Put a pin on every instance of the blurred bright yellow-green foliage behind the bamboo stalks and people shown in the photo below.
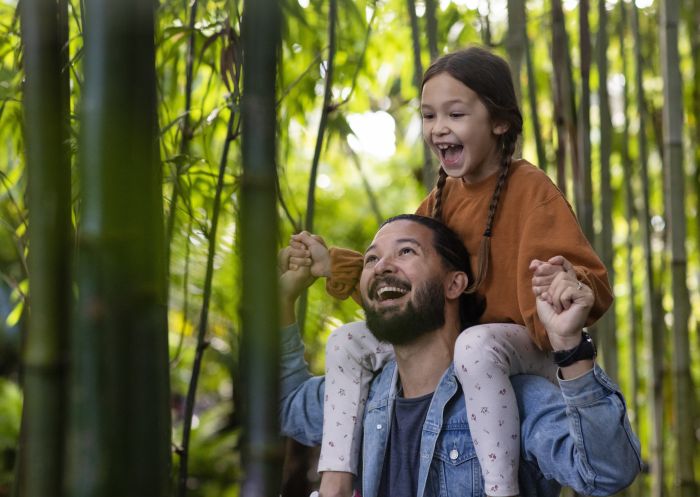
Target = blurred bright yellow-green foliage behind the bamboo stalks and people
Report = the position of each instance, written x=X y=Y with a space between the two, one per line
x=373 y=79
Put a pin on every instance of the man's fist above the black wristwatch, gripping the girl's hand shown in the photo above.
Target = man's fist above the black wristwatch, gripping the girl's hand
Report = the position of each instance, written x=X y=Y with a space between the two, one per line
x=563 y=308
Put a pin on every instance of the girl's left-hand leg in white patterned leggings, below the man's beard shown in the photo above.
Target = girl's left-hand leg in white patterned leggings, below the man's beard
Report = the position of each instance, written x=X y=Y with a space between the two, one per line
x=353 y=354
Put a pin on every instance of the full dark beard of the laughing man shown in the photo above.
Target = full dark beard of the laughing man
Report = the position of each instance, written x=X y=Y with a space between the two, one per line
x=415 y=320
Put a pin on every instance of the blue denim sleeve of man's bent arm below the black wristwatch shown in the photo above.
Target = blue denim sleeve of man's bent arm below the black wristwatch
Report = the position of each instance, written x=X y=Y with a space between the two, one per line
x=580 y=435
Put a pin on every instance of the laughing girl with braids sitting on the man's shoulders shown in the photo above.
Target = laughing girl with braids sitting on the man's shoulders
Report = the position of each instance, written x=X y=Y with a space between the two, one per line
x=508 y=213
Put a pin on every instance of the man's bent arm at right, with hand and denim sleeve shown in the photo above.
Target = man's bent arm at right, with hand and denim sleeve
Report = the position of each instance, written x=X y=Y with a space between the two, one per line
x=579 y=436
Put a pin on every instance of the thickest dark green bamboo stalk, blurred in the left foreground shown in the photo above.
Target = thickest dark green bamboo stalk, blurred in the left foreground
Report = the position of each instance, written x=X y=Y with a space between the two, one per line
x=119 y=428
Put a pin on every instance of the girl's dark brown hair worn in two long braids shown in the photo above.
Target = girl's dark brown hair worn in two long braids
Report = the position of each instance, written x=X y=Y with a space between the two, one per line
x=488 y=75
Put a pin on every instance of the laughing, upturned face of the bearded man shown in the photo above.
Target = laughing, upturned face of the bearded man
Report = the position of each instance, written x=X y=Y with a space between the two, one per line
x=402 y=283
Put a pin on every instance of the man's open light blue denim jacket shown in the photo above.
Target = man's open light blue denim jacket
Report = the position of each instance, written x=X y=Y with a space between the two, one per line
x=578 y=436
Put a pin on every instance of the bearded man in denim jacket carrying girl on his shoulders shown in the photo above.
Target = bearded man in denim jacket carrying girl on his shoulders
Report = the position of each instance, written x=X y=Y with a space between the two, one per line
x=412 y=290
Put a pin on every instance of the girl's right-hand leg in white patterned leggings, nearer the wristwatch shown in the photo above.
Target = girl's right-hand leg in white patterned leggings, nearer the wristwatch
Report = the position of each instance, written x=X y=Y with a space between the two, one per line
x=485 y=356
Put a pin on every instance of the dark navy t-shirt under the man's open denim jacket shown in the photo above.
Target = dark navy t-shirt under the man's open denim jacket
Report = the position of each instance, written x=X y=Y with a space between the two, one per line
x=401 y=461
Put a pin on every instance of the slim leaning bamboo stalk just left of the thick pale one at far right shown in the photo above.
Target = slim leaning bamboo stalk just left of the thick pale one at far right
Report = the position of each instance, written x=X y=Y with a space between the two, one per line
x=654 y=327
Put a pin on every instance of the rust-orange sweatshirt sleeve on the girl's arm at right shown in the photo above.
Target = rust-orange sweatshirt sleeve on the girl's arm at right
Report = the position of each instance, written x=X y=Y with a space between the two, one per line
x=550 y=229
